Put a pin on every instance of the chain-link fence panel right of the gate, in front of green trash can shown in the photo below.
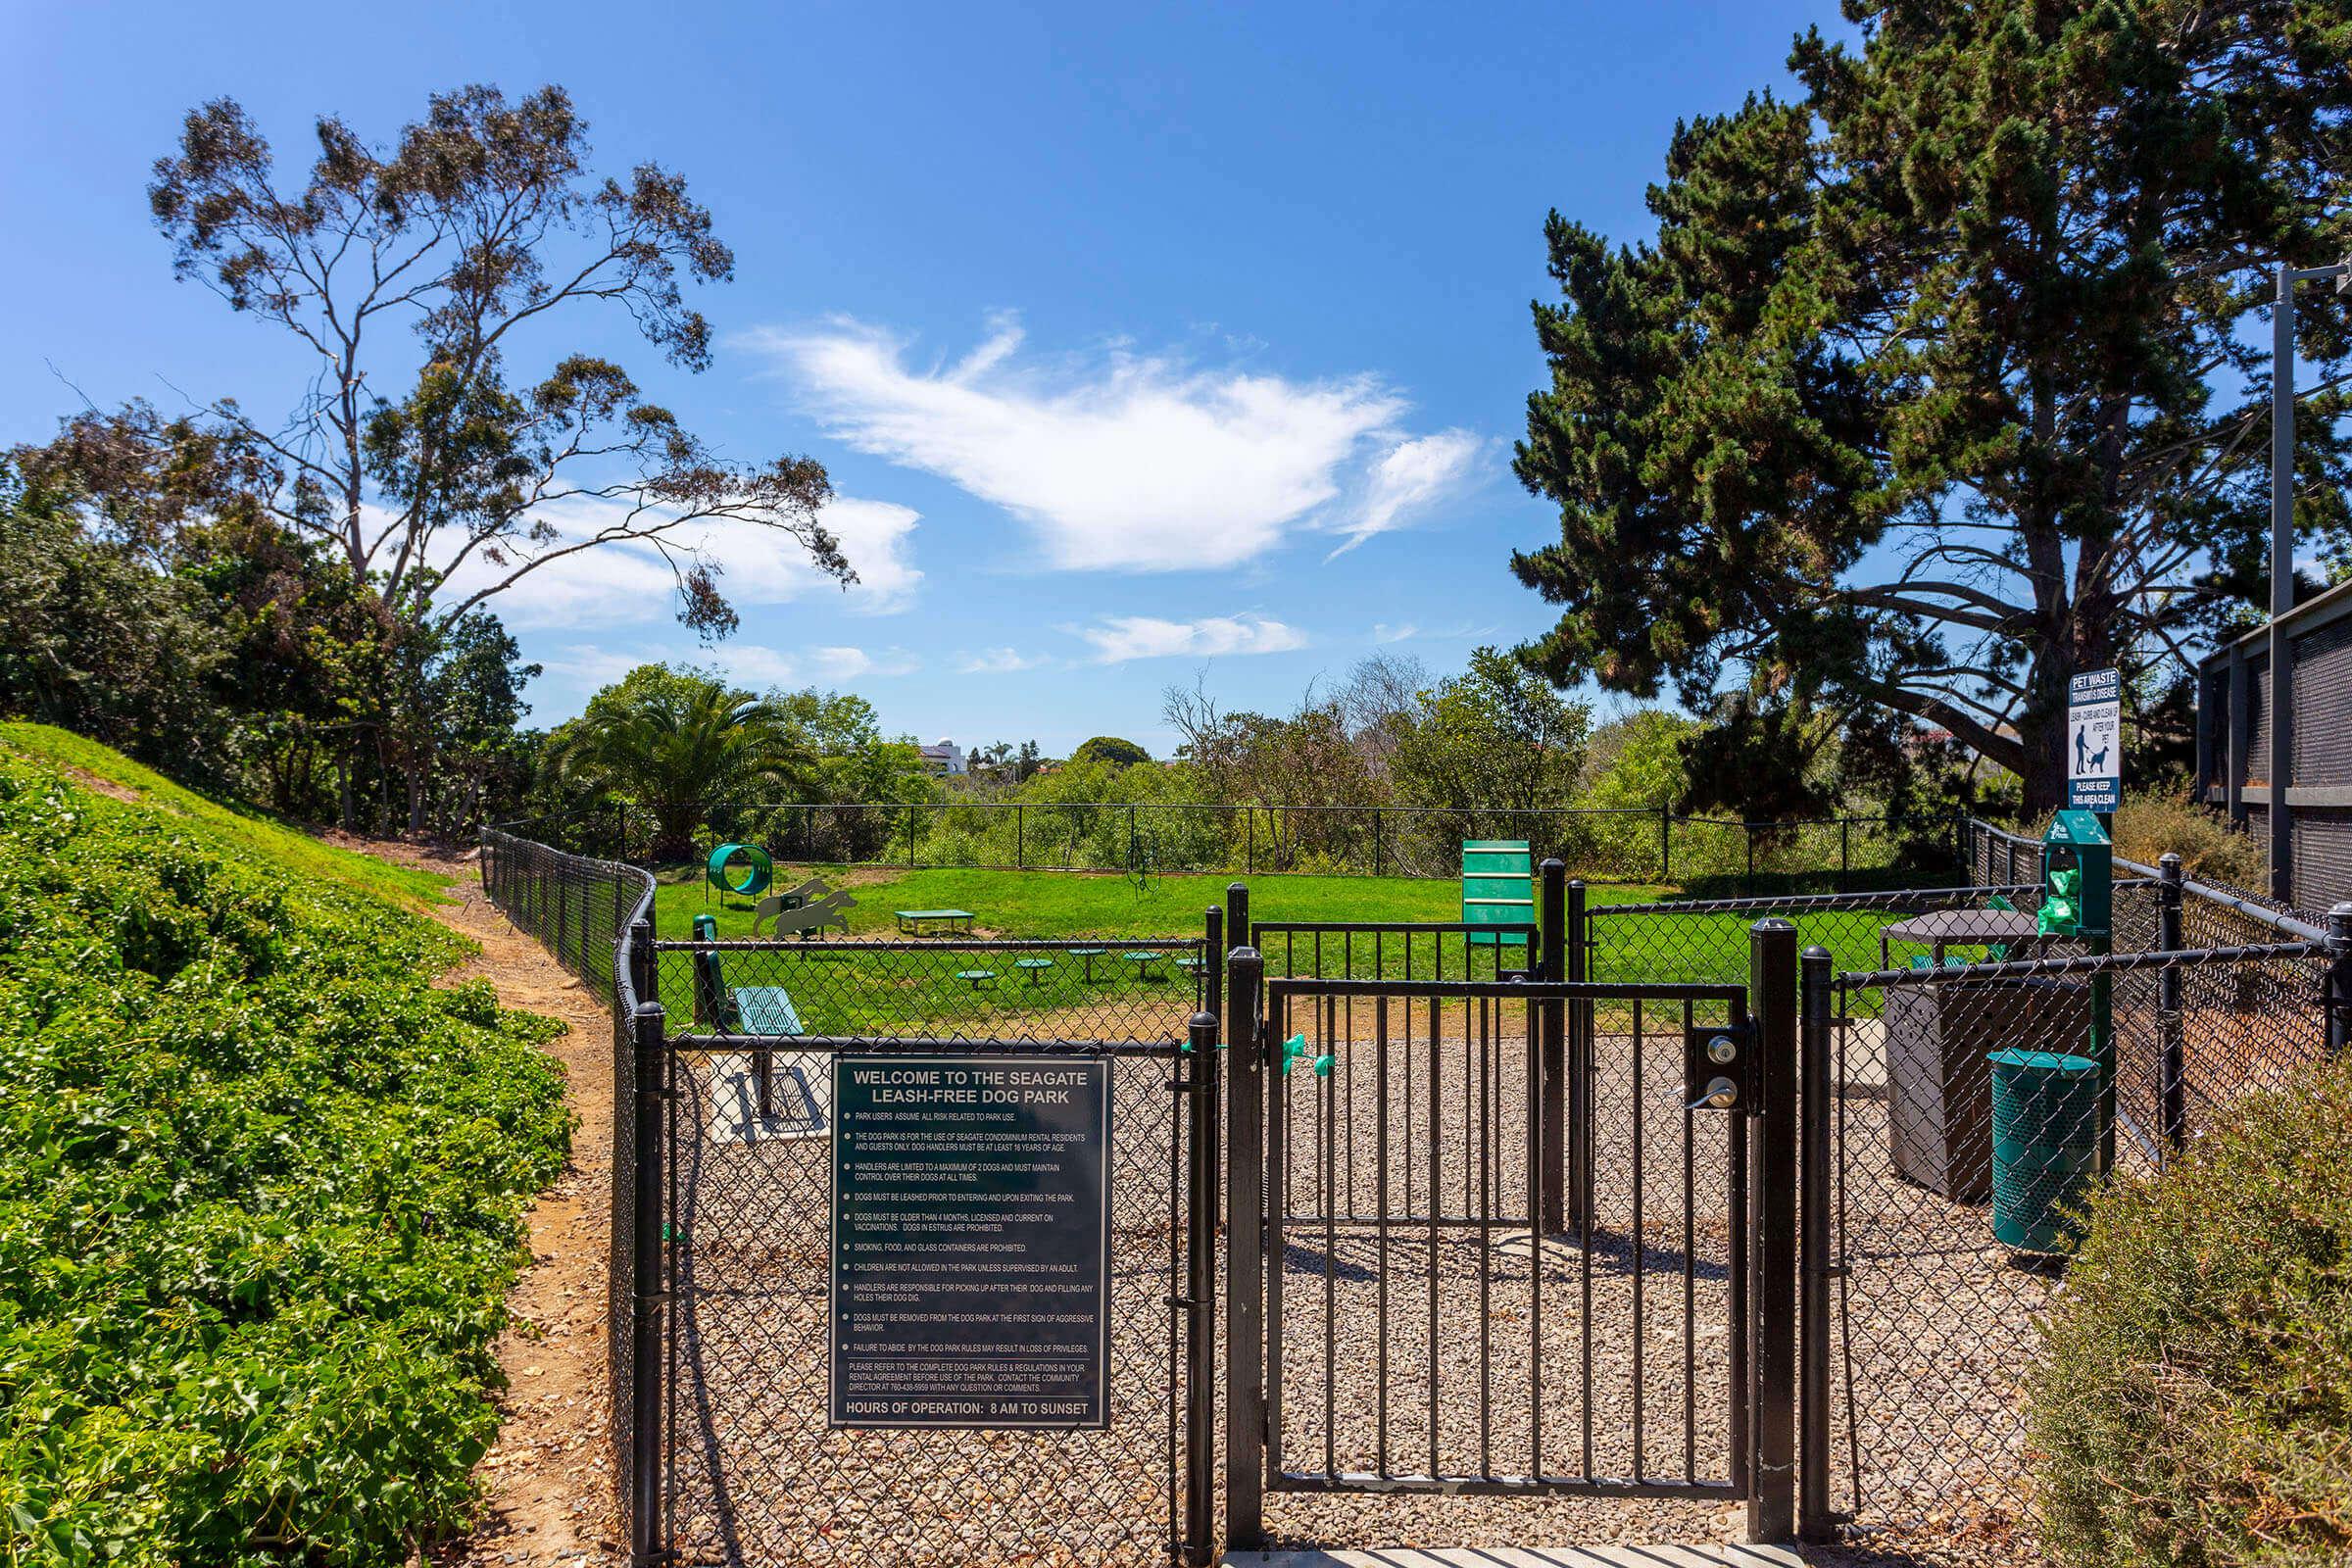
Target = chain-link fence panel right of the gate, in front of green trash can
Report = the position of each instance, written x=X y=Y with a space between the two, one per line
x=1972 y=1125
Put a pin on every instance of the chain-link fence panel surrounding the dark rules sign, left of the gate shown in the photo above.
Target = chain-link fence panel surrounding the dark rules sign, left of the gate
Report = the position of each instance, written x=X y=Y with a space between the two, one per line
x=754 y=1470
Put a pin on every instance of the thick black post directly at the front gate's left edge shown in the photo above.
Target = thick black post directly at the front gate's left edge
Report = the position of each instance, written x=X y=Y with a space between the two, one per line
x=1245 y=1254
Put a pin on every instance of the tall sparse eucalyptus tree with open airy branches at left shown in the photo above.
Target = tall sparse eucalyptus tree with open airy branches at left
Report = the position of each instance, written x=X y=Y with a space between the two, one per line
x=413 y=281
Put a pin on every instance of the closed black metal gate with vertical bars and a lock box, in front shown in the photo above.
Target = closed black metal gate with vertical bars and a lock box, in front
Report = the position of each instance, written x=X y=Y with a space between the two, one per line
x=1483 y=1242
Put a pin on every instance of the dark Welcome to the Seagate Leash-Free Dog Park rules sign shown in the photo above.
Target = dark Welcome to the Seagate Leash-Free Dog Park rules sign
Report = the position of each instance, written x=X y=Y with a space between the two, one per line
x=970 y=1242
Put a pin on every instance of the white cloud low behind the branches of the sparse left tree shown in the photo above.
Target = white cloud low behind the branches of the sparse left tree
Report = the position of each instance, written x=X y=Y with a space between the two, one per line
x=629 y=582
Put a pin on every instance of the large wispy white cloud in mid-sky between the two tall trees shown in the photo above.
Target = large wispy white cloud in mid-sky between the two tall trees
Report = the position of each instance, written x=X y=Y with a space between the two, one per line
x=1123 y=460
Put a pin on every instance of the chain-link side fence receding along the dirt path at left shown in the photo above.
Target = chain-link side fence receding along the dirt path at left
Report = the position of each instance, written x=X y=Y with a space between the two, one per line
x=584 y=913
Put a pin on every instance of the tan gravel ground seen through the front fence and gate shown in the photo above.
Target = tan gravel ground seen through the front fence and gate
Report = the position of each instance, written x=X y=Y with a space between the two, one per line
x=1935 y=1311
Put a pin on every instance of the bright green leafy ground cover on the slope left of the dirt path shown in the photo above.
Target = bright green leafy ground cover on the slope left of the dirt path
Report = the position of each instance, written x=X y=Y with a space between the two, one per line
x=260 y=1198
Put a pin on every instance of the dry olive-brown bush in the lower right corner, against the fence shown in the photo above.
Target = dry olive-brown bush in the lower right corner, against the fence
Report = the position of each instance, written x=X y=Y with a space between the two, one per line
x=2193 y=1402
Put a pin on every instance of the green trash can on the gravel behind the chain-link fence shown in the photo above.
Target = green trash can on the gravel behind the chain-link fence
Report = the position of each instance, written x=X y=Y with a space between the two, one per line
x=2045 y=1146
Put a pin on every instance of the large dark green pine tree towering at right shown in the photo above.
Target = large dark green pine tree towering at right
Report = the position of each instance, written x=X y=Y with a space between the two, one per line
x=1939 y=384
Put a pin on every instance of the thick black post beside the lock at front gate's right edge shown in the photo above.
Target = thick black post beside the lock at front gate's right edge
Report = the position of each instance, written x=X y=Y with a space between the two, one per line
x=1772 y=1235
